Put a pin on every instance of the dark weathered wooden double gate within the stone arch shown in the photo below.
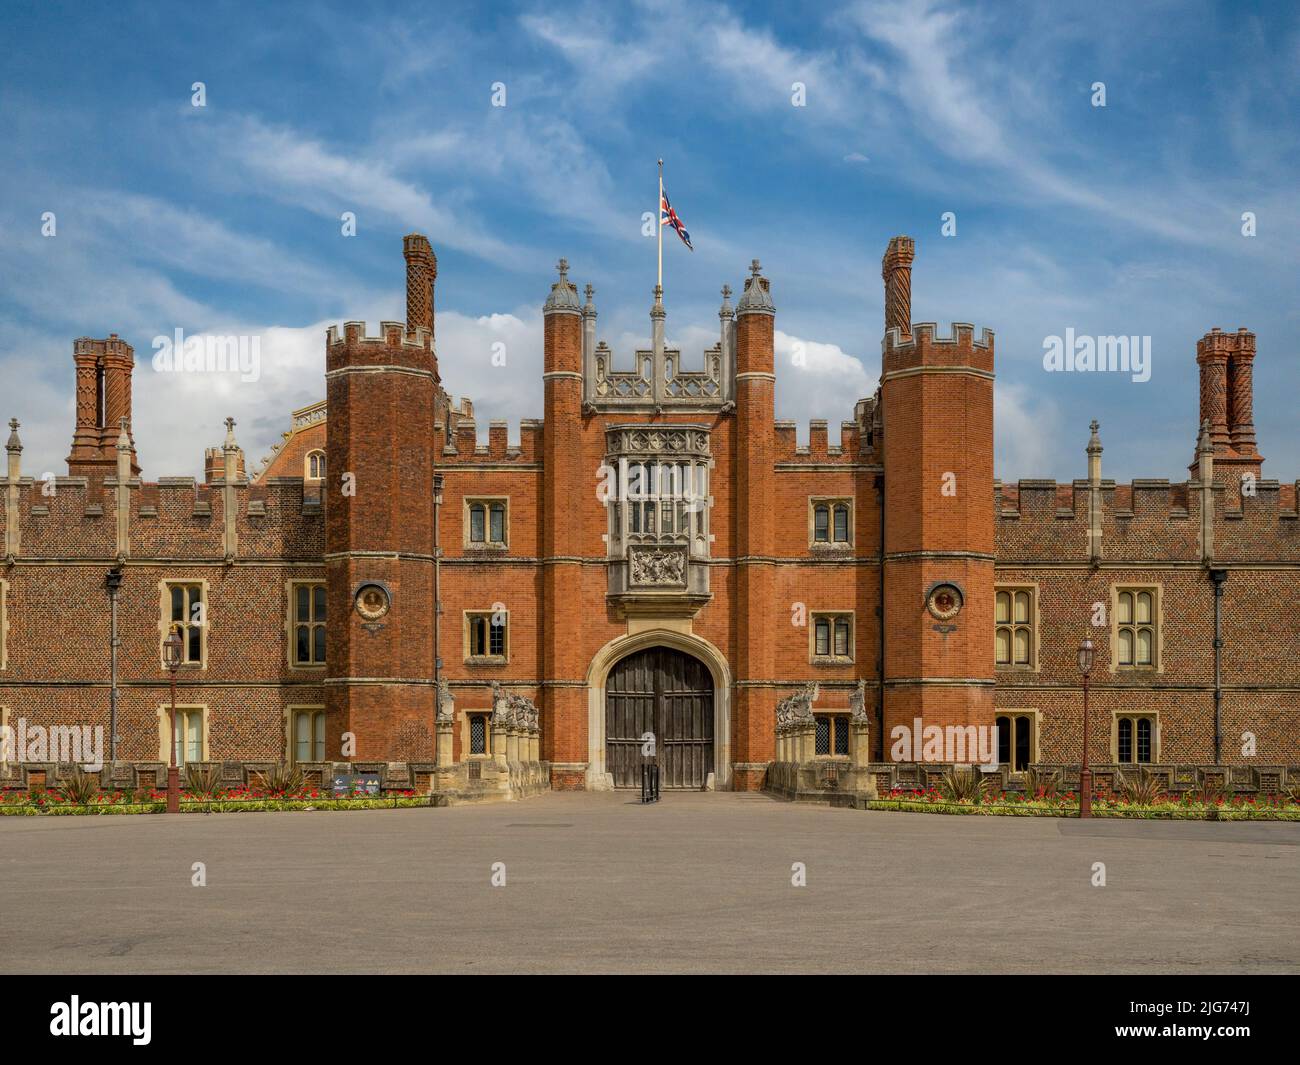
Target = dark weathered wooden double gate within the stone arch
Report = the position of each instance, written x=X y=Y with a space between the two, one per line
x=671 y=695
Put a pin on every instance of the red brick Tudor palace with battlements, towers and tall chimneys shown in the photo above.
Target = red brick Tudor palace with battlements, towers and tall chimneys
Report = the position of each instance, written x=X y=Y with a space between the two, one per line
x=656 y=557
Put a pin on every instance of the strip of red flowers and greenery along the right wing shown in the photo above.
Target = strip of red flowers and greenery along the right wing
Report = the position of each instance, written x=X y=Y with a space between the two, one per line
x=1067 y=804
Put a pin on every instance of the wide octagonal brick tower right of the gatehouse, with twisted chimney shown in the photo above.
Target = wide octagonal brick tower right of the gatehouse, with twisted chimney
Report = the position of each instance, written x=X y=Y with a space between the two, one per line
x=938 y=399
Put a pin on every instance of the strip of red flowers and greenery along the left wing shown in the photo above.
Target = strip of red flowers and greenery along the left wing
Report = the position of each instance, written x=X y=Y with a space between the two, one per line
x=224 y=802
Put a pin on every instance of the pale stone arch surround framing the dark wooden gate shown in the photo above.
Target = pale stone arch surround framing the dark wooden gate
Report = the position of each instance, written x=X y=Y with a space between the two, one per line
x=599 y=777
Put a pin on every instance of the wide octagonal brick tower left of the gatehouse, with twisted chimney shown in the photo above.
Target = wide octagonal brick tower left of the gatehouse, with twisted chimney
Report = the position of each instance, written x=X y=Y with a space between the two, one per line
x=379 y=529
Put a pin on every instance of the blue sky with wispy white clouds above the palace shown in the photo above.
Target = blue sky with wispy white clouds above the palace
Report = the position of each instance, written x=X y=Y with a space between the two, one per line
x=226 y=219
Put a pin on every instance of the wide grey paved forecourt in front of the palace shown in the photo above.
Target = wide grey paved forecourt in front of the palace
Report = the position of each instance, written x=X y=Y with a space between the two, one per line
x=603 y=884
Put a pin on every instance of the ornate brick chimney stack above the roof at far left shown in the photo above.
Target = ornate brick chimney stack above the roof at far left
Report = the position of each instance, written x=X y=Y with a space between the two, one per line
x=103 y=400
